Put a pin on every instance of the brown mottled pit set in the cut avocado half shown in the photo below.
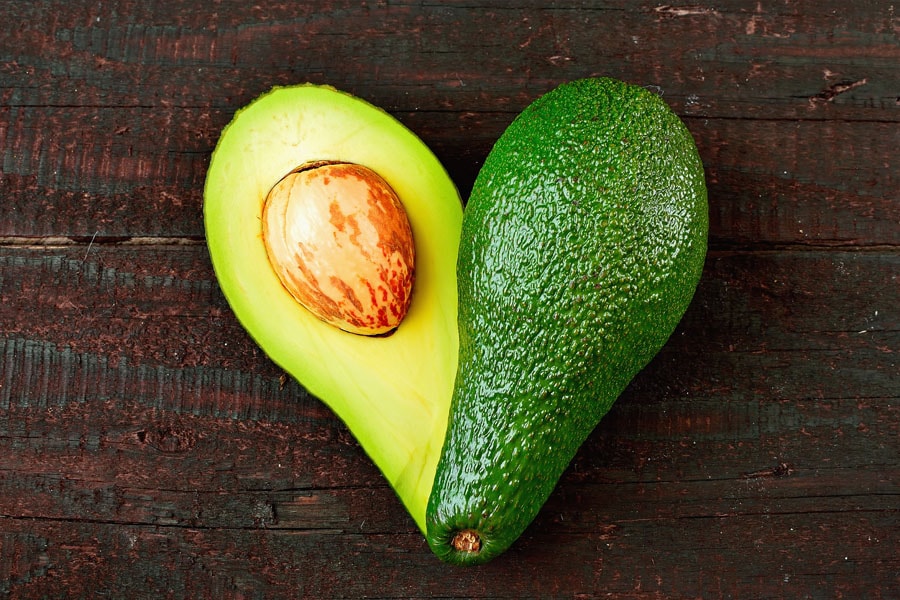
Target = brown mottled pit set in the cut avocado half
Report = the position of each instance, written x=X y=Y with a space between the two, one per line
x=339 y=239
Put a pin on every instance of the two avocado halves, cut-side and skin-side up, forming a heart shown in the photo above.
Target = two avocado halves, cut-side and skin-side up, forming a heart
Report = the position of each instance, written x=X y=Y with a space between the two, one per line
x=470 y=352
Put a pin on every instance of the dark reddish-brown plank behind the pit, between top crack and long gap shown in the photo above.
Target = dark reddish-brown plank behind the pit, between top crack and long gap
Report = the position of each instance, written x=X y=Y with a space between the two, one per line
x=833 y=183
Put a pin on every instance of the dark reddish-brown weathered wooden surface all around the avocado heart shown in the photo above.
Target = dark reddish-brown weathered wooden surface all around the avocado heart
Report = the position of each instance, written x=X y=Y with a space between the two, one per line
x=148 y=448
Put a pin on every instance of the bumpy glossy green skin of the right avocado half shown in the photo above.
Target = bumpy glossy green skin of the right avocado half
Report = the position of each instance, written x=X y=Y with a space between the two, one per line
x=582 y=245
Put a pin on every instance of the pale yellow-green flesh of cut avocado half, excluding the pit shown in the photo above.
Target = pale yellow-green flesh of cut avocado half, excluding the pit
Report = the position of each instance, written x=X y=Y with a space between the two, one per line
x=392 y=391
